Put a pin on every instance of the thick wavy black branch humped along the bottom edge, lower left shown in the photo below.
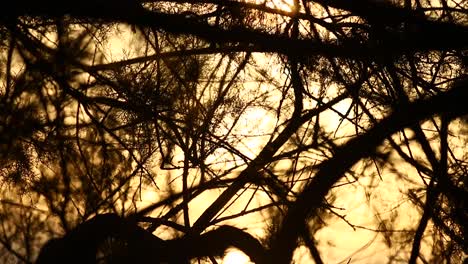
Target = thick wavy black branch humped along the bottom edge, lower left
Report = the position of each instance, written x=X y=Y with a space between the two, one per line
x=81 y=245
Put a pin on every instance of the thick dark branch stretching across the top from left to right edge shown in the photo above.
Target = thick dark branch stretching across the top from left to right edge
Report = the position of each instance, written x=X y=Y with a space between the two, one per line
x=429 y=35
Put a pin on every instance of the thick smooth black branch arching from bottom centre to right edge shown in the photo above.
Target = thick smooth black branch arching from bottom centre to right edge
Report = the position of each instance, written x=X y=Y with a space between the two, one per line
x=451 y=103
